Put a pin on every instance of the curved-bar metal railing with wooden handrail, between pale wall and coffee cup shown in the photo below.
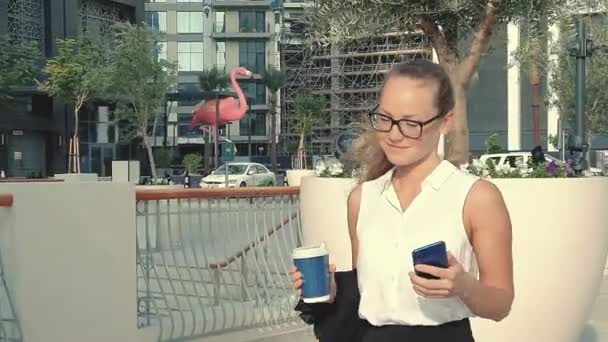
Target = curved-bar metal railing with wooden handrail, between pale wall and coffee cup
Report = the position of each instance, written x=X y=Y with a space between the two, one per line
x=214 y=260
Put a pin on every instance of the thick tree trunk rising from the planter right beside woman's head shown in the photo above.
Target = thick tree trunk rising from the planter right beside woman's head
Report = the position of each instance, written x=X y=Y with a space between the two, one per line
x=458 y=137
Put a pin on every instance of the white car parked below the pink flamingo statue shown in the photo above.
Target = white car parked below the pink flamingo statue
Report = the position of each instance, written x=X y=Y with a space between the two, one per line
x=240 y=175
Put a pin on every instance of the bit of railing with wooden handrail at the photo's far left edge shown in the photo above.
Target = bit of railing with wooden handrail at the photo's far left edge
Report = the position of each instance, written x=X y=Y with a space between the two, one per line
x=10 y=328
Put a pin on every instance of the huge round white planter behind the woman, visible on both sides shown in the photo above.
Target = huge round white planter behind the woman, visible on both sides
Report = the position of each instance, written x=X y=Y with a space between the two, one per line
x=560 y=244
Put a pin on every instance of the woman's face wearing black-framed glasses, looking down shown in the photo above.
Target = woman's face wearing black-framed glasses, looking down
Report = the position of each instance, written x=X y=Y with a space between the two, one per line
x=415 y=139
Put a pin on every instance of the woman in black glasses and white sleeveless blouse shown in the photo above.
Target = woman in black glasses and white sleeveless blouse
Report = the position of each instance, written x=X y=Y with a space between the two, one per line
x=409 y=198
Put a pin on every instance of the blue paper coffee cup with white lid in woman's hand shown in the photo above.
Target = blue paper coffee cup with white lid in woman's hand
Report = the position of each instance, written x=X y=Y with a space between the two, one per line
x=313 y=263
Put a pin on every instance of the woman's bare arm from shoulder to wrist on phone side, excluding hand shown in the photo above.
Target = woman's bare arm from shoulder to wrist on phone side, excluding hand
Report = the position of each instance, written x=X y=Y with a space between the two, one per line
x=485 y=213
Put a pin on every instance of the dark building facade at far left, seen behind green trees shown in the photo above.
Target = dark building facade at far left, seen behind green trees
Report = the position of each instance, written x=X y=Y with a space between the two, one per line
x=34 y=129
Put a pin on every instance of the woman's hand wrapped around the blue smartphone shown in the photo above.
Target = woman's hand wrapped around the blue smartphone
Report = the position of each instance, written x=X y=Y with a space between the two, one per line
x=453 y=281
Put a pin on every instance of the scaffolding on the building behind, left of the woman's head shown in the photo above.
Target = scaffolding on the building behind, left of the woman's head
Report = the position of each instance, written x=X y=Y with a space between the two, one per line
x=348 y=75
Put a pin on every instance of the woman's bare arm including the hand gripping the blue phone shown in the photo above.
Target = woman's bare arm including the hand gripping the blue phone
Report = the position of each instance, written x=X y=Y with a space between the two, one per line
x=489 y=226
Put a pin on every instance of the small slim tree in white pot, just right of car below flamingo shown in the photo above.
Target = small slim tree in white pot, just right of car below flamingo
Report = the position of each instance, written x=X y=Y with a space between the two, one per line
x=308 y=109
